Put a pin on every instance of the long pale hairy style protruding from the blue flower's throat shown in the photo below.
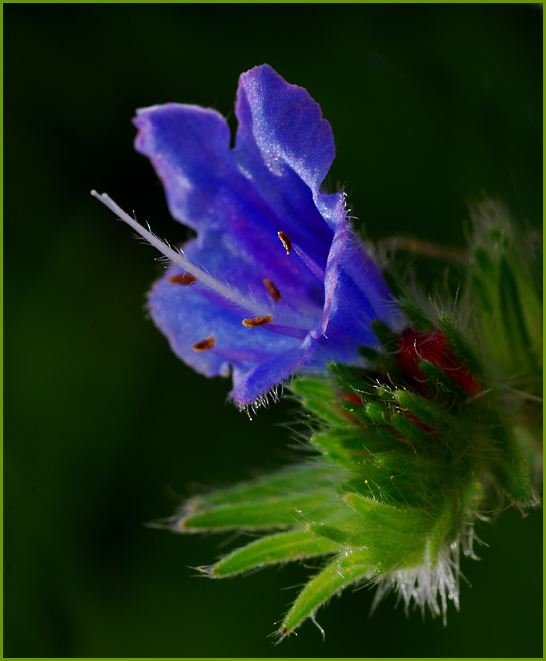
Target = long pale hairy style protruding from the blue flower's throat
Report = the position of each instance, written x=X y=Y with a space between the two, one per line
x=178 y=258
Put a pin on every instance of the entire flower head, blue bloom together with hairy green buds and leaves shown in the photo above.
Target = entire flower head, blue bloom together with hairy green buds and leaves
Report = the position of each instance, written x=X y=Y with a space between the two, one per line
x=412 y=435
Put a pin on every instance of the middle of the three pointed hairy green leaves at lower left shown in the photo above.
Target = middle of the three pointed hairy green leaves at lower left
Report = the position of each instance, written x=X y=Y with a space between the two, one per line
x=282 y=547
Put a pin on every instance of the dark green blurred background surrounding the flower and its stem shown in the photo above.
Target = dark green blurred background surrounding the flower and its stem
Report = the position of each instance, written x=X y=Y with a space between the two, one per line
x=432 y=106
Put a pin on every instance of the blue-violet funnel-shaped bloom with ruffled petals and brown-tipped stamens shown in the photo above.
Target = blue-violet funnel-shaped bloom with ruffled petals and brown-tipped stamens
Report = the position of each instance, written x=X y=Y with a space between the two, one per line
x=301 y=291
